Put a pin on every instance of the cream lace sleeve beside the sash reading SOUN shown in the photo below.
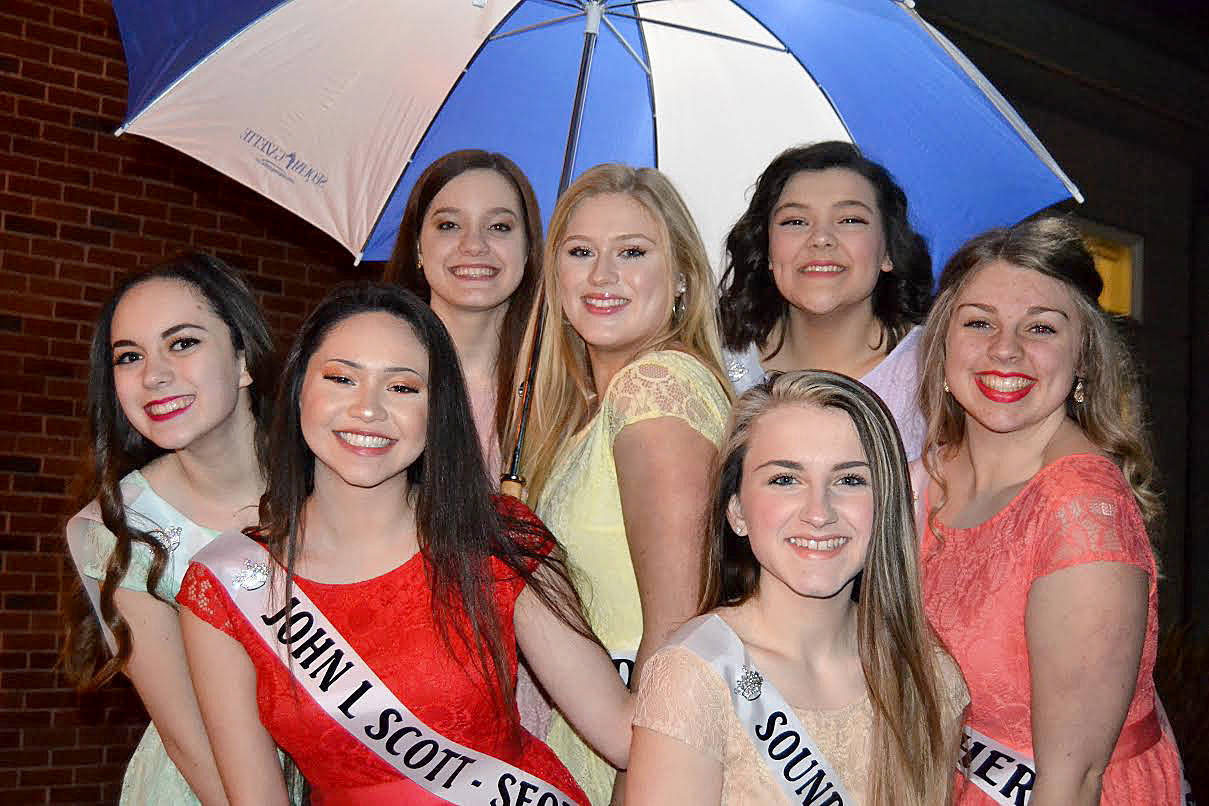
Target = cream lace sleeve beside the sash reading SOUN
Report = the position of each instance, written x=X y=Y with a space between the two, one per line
x=682 y=698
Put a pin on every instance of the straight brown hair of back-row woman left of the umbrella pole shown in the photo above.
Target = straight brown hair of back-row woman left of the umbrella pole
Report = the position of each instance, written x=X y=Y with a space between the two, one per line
x=404 y=265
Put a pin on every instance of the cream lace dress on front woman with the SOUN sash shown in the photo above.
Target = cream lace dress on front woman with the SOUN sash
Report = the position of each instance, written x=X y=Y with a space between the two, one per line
x=684 y=698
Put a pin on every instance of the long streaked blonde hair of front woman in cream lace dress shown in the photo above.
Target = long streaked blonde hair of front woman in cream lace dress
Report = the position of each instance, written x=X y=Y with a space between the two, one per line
x=913 y=749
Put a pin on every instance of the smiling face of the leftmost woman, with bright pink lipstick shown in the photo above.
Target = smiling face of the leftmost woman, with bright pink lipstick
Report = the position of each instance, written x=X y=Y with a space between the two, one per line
x=176 y=372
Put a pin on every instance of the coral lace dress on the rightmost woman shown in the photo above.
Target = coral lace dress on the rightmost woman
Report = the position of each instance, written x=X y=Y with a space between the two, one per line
x=976 y=588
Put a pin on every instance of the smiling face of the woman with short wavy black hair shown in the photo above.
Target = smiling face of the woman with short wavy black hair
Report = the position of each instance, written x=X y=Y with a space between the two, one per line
x=826 y=241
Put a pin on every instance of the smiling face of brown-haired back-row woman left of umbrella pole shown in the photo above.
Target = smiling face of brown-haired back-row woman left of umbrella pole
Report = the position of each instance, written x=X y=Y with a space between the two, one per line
x=473 y=243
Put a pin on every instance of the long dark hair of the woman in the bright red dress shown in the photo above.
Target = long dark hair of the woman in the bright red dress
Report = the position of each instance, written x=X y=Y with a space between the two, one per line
x=459 y=526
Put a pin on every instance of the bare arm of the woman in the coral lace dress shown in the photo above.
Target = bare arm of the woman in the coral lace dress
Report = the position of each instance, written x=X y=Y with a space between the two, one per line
x=1085 y=628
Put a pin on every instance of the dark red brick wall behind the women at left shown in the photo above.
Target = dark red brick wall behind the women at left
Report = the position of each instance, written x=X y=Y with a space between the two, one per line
x=80 y=208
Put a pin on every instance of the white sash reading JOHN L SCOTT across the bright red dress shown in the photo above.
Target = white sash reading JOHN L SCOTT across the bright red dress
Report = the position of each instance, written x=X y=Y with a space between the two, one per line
x=349 y=691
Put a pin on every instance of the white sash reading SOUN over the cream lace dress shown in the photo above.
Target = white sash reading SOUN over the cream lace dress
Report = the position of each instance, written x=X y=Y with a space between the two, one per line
x=782 y=741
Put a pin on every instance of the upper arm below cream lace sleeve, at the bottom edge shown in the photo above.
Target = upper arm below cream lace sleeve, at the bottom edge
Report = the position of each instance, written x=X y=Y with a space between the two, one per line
x=664 y=770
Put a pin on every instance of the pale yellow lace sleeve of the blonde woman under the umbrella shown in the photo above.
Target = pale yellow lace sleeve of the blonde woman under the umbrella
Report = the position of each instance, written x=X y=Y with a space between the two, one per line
x=667 y=385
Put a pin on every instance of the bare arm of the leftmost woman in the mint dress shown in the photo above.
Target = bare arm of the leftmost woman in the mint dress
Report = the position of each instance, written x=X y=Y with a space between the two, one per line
x=160 y=675
